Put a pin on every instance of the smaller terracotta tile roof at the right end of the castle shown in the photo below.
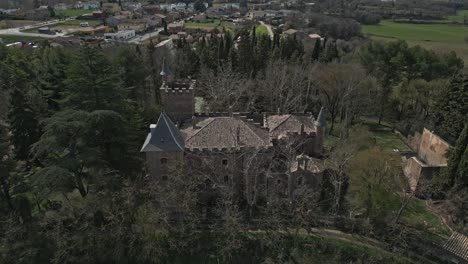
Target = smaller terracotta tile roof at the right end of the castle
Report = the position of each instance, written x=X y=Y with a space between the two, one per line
x=280 y=125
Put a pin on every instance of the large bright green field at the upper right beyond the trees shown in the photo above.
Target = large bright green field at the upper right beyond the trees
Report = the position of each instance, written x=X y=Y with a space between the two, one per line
x=439 y=37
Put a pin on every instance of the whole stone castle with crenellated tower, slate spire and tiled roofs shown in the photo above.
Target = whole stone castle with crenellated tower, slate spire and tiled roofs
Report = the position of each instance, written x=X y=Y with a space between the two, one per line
x=242 y=152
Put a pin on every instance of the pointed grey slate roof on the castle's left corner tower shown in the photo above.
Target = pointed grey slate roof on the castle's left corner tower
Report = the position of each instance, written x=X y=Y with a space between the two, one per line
x=164 y=136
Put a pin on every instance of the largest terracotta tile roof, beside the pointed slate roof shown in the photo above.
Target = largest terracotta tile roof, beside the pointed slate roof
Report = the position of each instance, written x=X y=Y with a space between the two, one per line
x=222 y=132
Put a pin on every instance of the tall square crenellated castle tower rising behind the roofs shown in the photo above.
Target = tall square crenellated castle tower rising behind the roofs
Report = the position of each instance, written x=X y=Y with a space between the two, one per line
x=177 y=96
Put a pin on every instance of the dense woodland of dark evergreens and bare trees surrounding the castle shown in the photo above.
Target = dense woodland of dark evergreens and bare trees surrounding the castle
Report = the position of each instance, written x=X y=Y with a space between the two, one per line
x=72 y=179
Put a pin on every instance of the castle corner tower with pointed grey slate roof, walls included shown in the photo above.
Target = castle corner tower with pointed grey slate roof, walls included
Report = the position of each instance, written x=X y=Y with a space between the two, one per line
x=164 y=148
